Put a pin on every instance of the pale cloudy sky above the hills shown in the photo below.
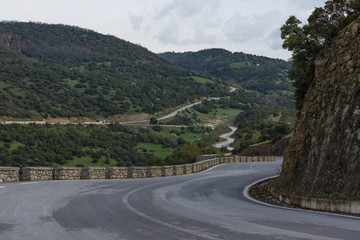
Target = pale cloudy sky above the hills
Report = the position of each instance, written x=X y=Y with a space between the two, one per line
x=250 y=26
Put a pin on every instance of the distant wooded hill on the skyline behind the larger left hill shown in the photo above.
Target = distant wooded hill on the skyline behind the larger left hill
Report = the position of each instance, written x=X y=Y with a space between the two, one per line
x=252 y=72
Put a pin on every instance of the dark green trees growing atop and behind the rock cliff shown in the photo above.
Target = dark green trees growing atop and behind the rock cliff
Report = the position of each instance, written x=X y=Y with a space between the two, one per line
x=309 y=41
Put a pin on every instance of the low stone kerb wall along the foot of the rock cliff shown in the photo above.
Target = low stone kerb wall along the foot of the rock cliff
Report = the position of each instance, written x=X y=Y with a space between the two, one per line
x=321 y=204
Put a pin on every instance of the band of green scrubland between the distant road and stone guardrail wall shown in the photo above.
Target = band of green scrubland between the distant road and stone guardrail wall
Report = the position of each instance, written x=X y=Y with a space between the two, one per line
x=93 y=145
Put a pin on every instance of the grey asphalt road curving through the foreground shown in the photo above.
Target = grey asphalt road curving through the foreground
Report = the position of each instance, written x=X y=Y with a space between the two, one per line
x=207 y=205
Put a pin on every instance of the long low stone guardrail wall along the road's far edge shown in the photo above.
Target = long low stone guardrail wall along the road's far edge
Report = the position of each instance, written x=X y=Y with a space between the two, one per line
x=76 y=173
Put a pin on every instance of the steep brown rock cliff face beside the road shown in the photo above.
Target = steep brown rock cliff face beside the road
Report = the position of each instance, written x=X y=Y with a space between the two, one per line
x=324 y=155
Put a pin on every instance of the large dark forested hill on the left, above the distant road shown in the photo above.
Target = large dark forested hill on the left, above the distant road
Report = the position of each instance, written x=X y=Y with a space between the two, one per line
x=64 y=71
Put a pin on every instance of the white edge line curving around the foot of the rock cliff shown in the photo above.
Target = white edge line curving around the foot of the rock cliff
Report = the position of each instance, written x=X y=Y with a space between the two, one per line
x=246 y=194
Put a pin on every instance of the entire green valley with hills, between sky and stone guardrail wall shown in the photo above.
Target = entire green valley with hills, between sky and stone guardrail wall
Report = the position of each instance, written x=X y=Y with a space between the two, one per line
x=98 y=92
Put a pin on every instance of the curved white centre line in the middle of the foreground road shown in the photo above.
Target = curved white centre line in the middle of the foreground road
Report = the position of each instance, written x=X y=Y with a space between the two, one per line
x=141 y=214
